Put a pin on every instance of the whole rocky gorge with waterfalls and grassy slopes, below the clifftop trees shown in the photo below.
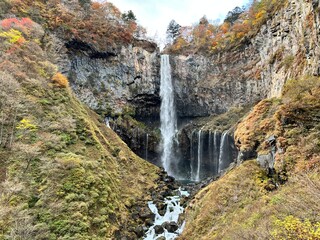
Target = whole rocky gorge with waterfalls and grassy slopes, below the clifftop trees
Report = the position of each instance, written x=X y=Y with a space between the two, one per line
x=239 y=128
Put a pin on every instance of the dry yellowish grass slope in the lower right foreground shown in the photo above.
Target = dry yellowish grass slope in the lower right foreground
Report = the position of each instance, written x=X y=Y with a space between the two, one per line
x=237 y=207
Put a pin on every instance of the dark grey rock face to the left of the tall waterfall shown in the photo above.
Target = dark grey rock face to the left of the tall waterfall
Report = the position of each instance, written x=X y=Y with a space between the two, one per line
x=124 y=79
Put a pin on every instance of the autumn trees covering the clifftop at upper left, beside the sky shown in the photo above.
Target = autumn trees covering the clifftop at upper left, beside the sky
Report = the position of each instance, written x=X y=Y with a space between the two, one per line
x=72 y=19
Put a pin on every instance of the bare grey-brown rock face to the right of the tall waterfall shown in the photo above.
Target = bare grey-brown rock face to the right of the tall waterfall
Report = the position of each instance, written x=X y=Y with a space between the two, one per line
x=287 y=46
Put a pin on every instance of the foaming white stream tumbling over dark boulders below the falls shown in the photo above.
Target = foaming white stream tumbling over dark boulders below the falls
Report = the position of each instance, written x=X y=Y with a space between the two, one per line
x=173 y=210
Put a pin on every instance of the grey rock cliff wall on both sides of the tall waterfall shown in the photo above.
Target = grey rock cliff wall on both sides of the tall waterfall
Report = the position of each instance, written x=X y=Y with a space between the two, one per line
x=127 y=79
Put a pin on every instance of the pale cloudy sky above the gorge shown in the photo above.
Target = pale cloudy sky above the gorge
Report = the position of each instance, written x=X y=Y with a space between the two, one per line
x=155 y=15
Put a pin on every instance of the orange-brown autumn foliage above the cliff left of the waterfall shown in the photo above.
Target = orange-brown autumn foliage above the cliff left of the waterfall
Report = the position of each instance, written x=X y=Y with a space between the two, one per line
x=100 y=25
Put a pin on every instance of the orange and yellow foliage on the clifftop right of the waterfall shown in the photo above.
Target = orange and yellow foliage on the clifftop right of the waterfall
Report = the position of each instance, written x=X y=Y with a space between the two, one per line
x=207 y=36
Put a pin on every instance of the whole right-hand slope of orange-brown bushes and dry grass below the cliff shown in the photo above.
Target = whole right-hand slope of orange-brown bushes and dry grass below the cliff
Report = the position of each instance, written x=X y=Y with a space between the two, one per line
x=248 y=203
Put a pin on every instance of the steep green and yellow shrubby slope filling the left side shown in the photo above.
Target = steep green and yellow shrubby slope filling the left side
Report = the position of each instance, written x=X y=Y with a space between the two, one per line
x=63 y=173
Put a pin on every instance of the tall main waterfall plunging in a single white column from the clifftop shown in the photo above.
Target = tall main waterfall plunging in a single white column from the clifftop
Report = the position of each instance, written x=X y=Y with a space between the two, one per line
x=168 y=118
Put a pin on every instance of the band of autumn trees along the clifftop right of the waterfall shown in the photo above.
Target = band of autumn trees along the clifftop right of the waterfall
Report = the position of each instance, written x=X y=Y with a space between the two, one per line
x=238 y=27
